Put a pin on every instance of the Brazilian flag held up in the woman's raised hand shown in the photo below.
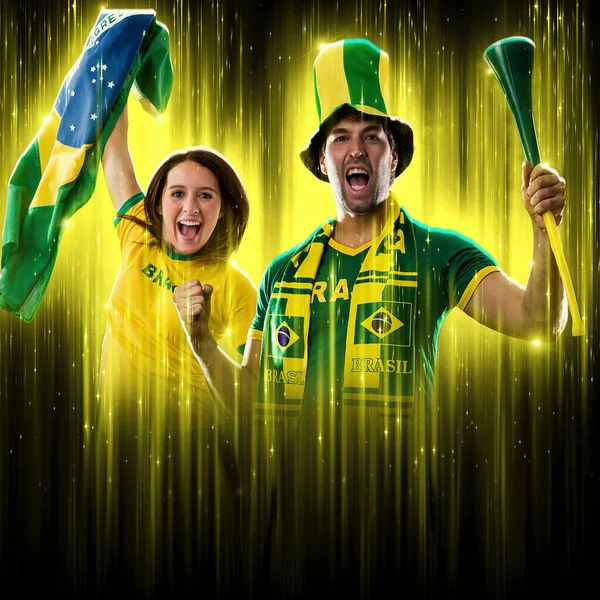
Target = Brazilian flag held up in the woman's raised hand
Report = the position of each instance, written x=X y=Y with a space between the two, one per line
x=57 y=173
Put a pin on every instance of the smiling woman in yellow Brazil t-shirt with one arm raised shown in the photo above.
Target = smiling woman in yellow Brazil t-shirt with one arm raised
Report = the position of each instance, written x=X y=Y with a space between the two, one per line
x=186 y=227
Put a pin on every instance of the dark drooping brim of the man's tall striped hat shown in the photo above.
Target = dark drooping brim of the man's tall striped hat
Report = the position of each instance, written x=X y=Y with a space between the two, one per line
x=401 y=131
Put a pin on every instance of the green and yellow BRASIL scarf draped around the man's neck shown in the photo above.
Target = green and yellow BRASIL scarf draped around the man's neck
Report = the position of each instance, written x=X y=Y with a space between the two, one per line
x=379 y=371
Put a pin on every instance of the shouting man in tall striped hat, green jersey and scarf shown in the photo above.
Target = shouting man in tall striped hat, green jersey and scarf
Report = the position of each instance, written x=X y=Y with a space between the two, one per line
x=360 y=149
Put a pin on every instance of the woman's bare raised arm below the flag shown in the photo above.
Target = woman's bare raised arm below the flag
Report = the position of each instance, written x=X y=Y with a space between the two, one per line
x=117 y=164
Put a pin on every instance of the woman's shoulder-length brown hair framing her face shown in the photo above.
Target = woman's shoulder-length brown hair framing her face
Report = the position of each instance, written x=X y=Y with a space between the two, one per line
x=227 y=235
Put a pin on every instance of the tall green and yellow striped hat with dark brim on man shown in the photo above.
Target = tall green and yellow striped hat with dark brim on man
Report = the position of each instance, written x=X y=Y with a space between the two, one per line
x=354 y=73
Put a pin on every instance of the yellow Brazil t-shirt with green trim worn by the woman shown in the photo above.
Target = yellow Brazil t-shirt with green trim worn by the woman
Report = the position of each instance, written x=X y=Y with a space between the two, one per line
x=149 y=376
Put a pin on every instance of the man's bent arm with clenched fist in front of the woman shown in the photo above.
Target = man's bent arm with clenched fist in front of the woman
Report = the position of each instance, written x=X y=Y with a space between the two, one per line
x=231 y=384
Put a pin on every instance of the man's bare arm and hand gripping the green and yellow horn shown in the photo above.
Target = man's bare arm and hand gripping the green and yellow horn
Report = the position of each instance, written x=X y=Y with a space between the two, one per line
x=538 y=310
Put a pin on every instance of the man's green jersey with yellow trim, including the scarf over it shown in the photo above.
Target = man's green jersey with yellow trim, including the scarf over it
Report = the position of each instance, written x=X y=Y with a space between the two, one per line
x=357 y=330
